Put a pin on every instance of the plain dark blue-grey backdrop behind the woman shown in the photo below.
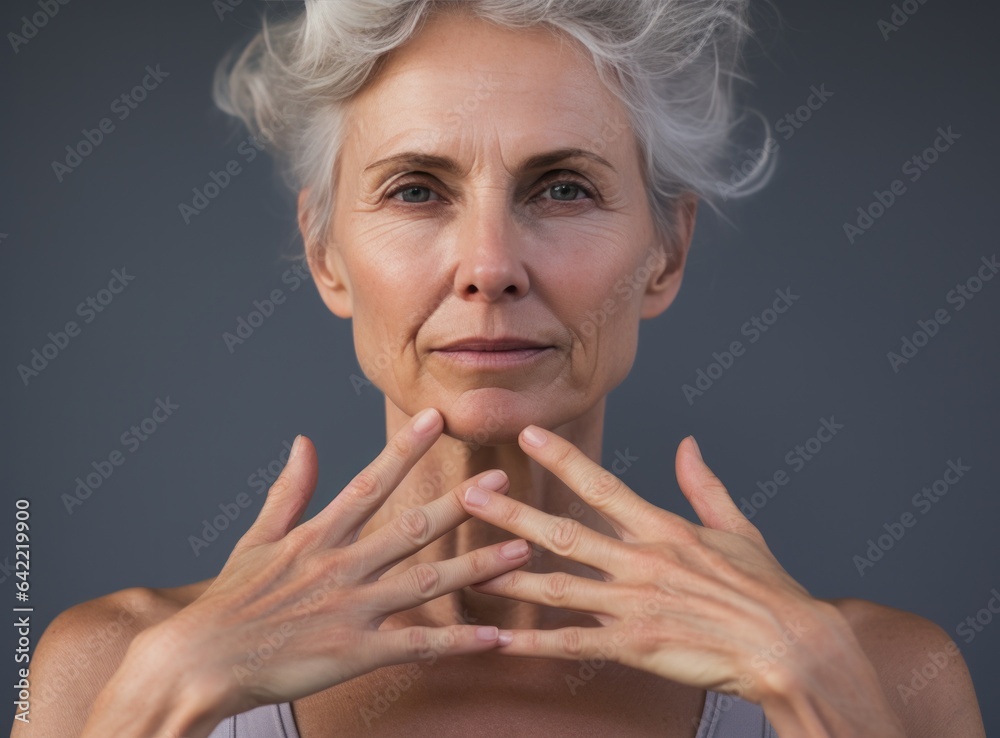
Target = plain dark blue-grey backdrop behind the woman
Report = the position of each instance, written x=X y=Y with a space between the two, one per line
x=162 y=336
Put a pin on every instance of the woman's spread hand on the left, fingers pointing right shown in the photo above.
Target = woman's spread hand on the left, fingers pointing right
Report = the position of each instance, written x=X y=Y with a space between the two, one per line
x=297 y=609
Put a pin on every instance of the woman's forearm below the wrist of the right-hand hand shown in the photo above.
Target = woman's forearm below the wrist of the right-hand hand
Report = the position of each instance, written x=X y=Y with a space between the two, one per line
x=830 y=690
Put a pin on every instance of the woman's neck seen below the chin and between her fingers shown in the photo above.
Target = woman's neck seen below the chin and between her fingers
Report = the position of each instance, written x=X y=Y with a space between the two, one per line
x=448 y=464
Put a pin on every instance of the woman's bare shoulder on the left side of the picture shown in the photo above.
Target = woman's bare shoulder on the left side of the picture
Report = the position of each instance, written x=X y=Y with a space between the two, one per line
x=83 y=647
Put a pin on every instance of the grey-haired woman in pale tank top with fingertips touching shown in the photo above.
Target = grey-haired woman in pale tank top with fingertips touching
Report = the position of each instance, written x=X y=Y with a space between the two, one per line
x=495 y=193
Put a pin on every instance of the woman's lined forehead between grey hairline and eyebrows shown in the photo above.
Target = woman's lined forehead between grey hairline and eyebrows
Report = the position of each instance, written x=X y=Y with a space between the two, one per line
x=461 y=78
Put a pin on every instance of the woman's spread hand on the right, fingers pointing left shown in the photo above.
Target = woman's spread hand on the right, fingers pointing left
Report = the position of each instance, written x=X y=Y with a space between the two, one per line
x=705 y=606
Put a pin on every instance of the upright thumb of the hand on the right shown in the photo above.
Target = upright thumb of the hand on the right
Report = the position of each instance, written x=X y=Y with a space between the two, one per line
x=707 y=494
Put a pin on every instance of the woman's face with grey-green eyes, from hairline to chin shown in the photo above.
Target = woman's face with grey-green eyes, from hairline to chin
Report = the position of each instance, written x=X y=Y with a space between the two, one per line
x=490 y=188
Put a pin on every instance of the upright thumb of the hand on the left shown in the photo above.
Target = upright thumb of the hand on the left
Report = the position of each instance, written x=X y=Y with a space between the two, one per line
x=288 y=497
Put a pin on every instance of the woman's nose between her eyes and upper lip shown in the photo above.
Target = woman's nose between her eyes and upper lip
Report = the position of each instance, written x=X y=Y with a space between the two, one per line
x=490 y=254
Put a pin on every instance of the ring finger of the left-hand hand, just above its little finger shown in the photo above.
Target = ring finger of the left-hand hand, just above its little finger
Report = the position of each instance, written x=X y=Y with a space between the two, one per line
x=426 y=581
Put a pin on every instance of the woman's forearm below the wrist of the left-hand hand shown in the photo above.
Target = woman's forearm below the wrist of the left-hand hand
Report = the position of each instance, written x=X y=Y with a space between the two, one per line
x=156 y=693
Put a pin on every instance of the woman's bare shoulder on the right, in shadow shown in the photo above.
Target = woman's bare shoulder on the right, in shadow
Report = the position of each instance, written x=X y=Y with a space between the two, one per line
x=920 y=666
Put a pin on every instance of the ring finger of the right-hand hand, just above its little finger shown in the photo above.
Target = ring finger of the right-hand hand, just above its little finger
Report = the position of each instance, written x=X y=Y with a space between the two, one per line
x=557 y=589
